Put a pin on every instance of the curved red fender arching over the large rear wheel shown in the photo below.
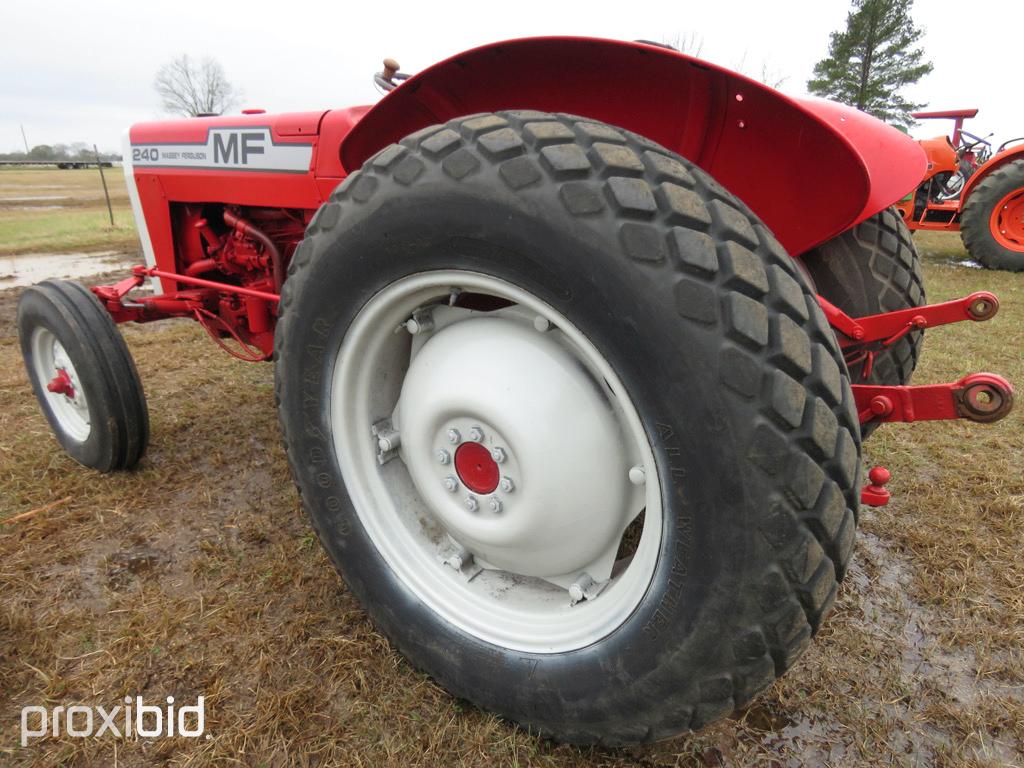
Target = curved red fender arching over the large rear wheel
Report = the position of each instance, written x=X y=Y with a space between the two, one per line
x=809 y=168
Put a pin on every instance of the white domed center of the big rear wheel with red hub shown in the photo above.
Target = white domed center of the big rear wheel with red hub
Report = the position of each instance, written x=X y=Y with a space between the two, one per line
x=516 y=449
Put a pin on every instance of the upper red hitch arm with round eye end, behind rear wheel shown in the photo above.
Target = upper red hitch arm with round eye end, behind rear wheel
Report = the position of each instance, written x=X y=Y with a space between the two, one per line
x=889 y=327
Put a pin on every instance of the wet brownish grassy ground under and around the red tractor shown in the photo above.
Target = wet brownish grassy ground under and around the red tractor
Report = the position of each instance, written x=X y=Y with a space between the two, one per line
x=199 y=574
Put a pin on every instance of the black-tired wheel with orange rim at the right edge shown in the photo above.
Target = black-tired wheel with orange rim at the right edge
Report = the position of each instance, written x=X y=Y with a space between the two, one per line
x=993 y=223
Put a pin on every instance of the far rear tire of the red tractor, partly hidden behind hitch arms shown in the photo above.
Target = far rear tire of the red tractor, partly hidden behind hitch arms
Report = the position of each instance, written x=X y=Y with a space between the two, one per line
x=871 y=269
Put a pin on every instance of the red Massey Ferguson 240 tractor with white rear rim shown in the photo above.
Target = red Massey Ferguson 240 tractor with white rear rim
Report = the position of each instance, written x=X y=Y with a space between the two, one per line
x=573 y=396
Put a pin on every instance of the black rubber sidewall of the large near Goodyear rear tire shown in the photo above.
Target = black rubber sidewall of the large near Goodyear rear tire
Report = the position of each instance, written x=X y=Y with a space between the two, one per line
x=719 y=622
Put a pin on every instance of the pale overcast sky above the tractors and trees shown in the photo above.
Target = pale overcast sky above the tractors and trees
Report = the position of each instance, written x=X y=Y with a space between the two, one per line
x=83 y=72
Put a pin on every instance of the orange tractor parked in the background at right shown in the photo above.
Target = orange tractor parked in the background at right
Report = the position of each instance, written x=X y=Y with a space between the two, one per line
x=969 y=189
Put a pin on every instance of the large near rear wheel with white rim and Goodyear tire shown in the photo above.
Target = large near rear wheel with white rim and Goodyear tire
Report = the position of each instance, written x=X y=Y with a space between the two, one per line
x=571 y=424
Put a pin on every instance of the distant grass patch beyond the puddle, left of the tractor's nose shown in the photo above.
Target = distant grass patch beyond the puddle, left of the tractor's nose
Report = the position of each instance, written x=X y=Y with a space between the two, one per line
x=48 y=210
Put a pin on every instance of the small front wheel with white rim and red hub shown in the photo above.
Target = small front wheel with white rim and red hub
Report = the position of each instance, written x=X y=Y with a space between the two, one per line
x=83 y=375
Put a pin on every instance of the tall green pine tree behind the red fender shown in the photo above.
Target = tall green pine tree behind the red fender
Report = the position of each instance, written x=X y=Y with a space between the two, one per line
x=873 y=60
